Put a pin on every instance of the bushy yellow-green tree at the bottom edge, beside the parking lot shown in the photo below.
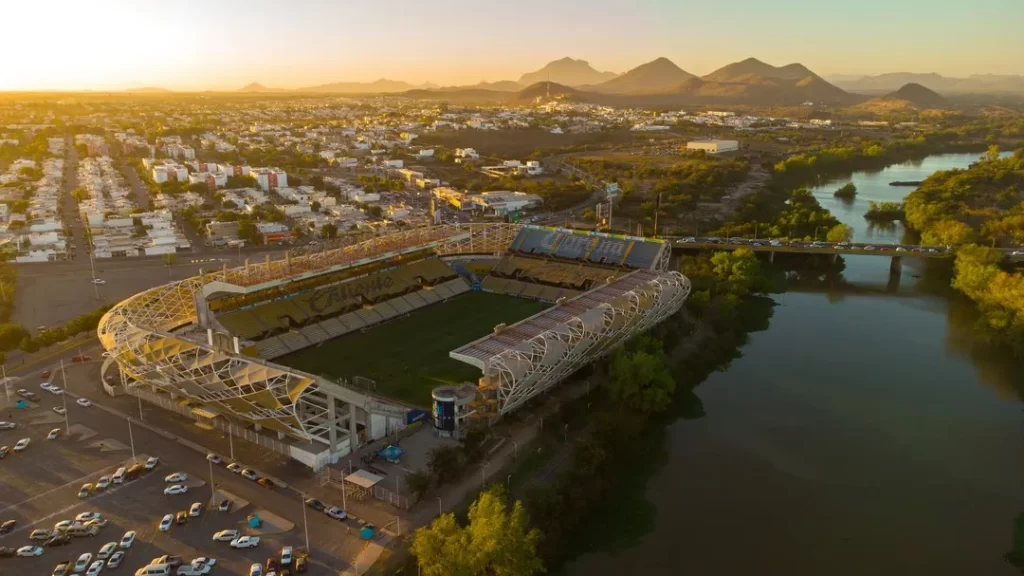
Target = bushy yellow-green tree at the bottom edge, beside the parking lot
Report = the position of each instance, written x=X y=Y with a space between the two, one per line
x=496 y=542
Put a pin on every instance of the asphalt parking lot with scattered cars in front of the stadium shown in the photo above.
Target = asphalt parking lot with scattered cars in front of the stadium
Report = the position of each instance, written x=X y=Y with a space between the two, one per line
x=41 y=486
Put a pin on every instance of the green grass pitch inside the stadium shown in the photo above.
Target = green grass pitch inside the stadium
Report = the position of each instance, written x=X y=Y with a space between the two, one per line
x=408 y=357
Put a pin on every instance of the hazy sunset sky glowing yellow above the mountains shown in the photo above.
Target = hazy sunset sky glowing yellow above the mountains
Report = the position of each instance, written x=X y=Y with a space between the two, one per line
x=97 y=45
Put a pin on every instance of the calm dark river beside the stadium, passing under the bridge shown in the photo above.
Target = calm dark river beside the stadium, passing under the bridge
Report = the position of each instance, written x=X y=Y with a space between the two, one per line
x=860 y=434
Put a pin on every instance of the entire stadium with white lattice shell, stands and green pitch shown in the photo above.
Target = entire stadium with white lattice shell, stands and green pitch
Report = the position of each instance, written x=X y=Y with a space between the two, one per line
x=334 y=347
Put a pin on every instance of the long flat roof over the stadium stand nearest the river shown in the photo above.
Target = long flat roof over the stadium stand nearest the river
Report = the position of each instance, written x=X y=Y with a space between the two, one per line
x=519 y=336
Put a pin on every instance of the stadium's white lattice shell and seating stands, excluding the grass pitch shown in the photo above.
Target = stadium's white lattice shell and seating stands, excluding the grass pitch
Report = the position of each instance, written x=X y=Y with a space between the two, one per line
x=209 y=343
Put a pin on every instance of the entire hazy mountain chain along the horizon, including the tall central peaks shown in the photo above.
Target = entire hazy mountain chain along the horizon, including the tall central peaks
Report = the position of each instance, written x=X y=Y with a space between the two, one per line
x=662 y=83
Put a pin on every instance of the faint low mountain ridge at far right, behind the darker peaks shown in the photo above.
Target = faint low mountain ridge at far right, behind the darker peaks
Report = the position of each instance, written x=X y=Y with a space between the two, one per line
x=978 y=84
